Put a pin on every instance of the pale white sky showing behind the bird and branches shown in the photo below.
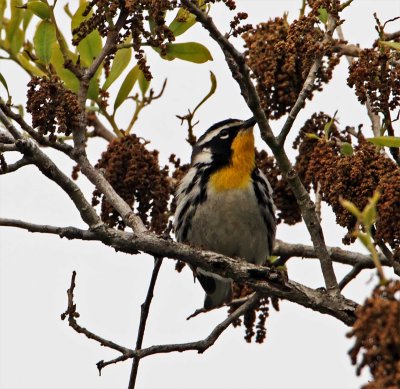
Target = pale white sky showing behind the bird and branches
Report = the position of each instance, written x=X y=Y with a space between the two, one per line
x=303 y=349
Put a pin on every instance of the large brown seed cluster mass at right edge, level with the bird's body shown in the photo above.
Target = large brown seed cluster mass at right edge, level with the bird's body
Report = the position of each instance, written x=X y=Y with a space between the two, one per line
x=354 y=177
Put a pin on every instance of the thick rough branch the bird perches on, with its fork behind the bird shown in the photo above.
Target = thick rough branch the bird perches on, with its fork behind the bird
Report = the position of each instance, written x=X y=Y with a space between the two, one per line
x=266 y=281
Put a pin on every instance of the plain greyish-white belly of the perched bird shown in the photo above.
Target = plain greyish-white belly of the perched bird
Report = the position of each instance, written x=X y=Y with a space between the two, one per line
x=231 y=224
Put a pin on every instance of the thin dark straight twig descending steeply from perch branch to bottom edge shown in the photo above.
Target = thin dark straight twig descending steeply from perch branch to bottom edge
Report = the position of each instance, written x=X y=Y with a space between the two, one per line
x=144 y=313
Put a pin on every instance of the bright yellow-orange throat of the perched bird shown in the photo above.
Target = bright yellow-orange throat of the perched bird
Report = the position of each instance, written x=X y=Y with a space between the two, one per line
x=238 y=173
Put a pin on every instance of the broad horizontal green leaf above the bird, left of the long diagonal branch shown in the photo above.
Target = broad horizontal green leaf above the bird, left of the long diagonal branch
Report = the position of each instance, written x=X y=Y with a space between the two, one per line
x=189 y=51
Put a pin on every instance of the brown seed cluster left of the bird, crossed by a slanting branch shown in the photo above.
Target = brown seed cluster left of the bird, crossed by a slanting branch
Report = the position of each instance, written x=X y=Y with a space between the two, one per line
x=135 y=174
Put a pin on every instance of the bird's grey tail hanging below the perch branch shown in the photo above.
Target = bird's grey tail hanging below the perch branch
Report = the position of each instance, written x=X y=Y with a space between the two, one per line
x=218 y=289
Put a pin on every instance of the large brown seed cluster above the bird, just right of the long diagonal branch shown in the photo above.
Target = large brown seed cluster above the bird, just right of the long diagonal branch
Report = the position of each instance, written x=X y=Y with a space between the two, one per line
x=280 y=56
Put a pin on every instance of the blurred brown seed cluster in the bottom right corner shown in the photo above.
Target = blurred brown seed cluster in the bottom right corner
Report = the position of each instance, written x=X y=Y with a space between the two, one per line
x=377 y=337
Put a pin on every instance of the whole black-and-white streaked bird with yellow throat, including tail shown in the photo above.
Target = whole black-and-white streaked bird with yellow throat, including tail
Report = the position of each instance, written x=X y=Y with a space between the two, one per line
x=224 y=203
